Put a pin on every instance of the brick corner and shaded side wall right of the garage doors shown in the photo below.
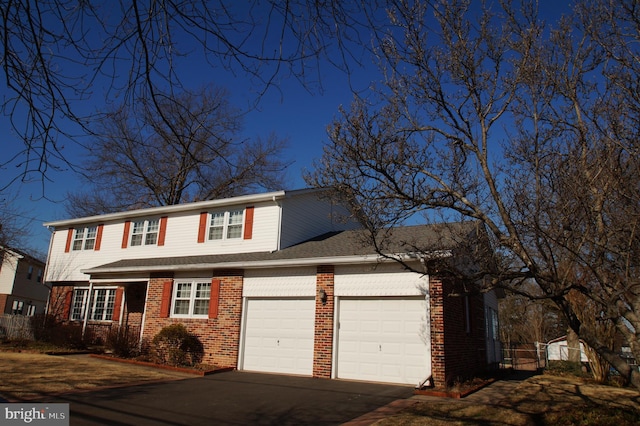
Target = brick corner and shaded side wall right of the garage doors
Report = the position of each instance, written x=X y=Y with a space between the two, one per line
x=456 y=353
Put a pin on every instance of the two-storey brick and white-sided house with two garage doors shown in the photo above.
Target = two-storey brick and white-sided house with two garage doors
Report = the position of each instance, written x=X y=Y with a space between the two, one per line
x=273 y=282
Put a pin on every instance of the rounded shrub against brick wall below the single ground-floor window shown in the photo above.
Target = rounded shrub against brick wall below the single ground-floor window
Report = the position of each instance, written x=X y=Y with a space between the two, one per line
x=174 y=345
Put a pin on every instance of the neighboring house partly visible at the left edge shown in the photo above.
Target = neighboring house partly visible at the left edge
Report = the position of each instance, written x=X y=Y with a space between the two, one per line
x=22 y=290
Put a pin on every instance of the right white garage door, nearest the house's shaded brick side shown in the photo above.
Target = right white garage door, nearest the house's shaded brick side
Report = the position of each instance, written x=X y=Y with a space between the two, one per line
x=384 y=340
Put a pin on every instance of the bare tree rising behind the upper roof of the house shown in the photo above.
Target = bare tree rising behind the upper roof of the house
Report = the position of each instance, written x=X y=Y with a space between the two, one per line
x=192 y=152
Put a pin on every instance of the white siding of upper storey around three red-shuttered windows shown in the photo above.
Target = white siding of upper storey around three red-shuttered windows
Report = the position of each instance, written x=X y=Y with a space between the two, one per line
x=182 y=235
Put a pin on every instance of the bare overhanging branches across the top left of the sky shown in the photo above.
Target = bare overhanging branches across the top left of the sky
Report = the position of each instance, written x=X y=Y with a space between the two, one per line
x=58 y=54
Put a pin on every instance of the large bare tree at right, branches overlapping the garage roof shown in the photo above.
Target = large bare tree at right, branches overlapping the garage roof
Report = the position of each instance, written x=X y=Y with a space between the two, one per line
x=489 y=114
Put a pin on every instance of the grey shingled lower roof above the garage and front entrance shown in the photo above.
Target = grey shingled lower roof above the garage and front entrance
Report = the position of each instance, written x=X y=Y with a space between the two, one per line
x=334 y=245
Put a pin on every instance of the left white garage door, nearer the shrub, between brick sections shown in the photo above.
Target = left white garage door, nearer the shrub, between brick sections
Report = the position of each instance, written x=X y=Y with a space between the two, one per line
x=279 y=336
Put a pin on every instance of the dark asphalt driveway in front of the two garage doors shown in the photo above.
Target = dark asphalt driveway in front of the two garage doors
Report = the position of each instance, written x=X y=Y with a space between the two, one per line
x=232 y=398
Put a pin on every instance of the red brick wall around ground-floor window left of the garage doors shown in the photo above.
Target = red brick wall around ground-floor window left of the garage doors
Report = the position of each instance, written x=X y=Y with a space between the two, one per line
x=220 y=336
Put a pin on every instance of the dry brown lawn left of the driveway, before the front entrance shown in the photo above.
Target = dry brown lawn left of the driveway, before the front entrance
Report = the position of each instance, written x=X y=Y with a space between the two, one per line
x=33 y=375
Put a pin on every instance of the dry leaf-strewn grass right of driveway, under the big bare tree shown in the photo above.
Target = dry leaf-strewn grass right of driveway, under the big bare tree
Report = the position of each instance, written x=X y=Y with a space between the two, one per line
x=540 y=400
